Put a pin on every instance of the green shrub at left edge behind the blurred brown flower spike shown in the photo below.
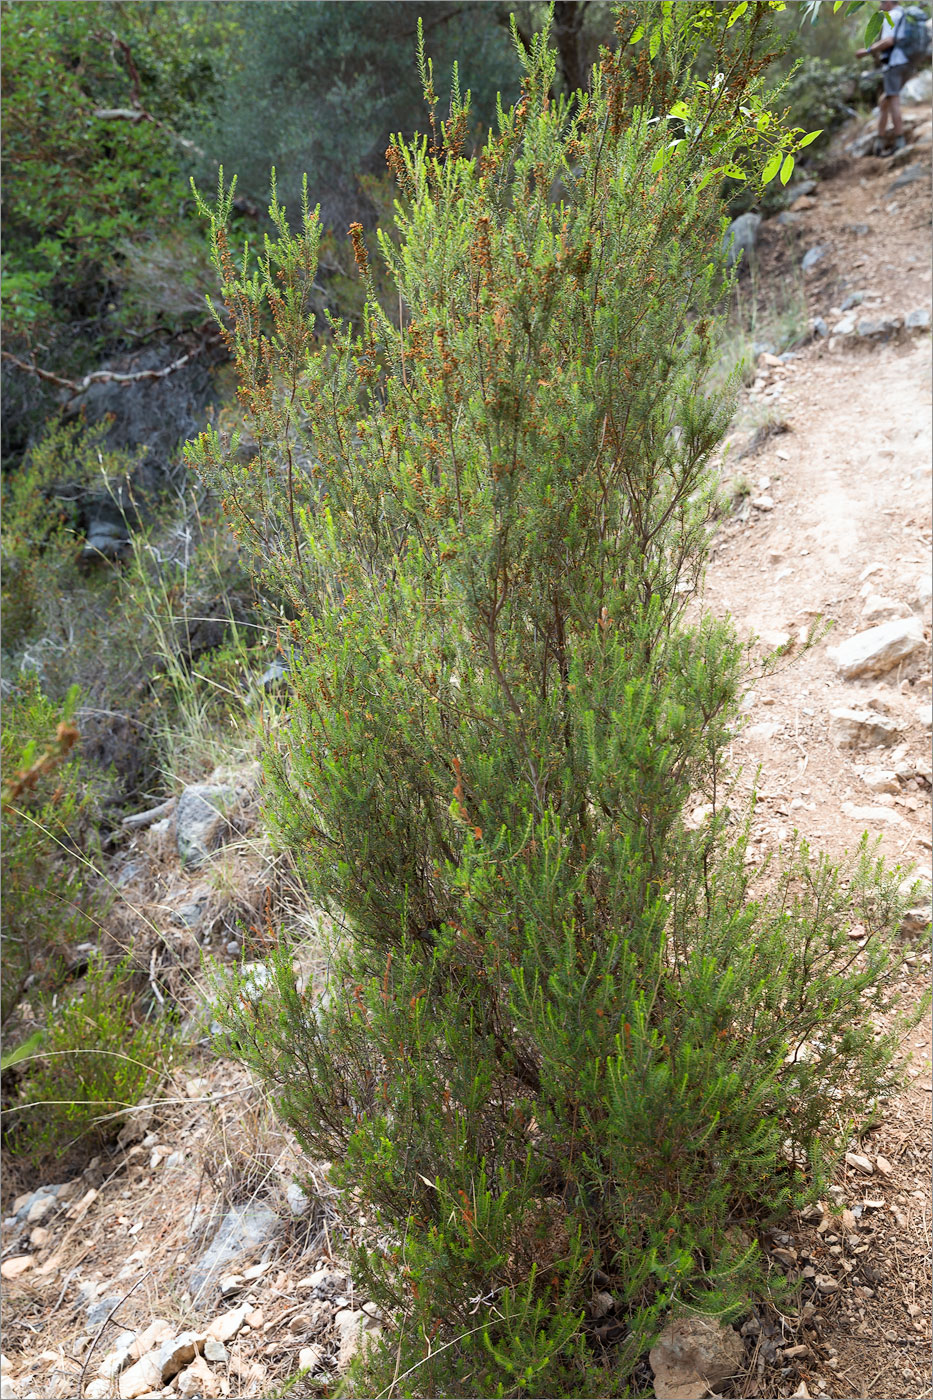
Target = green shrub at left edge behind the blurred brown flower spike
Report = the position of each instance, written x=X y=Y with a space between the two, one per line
x=48 y=825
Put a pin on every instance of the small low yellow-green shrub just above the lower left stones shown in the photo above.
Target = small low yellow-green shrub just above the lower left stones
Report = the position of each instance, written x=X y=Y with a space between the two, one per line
x=97 y=1059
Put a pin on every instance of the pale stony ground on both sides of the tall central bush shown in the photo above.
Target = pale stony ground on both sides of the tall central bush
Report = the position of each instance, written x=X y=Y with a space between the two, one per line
x=205 y=1256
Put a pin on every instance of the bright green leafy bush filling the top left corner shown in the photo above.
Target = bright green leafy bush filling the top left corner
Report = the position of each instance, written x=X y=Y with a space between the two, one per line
x=83 y=171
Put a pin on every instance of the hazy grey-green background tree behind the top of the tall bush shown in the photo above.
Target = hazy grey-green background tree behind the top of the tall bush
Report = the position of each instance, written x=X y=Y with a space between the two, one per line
x=320 y=87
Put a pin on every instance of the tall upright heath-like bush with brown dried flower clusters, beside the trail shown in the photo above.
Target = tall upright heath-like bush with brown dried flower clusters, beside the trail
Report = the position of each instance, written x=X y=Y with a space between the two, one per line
x=565 y=1038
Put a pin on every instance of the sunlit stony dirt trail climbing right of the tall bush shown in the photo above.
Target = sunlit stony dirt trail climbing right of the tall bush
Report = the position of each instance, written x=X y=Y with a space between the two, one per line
x=844 y=510
